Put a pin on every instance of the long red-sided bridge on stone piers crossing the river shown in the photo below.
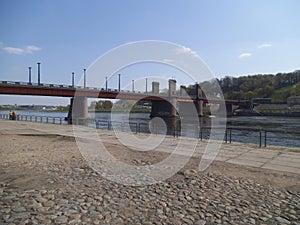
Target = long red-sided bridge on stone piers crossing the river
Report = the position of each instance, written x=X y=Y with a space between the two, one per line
x=161 y=102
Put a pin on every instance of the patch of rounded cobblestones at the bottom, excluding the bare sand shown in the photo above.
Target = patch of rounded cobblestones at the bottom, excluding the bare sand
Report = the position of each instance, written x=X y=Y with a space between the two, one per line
x=194 y=198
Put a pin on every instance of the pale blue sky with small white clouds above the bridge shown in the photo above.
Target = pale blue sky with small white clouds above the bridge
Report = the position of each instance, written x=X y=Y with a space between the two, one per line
x=232 y=37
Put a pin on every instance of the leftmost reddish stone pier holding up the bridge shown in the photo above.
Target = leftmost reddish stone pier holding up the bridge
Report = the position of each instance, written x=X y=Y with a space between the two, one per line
x=78 y=111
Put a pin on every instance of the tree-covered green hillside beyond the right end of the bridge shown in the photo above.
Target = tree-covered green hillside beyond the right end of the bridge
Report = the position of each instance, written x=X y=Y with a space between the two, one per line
x=278 y=87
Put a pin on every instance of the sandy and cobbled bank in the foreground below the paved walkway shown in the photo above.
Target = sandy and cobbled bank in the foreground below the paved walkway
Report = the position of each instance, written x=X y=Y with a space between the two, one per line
x=44 y=180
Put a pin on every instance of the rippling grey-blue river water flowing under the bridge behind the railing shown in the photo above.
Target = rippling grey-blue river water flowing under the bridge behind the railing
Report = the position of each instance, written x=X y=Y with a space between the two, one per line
x=281 y=131
